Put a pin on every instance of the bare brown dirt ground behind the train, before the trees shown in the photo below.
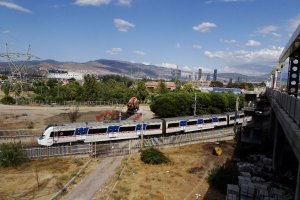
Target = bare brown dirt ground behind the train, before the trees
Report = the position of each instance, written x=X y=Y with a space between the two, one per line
x=38 y=117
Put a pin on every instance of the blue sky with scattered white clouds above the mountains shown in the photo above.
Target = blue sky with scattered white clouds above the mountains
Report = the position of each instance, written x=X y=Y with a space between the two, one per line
x=245 y=36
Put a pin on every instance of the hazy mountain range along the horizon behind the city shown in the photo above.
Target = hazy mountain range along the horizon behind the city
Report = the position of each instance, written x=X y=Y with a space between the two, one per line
x=124 y=68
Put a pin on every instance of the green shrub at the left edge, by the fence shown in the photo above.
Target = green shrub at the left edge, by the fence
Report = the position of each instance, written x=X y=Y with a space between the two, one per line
x=11 y=154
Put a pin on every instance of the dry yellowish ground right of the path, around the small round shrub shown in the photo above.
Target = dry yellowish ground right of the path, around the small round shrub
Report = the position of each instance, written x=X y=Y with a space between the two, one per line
x=171 y=181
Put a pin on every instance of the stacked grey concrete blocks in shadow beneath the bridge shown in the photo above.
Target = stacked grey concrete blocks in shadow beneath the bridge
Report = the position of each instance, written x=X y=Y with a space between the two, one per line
x=252 y=182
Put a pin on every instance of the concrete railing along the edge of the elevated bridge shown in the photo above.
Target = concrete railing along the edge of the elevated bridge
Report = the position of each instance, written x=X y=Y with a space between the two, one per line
x=289 y=103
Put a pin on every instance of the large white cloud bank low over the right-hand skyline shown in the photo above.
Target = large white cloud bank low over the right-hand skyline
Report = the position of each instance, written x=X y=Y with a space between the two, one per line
x=262 y=56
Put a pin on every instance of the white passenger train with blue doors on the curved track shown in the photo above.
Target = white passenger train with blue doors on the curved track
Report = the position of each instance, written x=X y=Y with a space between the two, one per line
x=99 y=131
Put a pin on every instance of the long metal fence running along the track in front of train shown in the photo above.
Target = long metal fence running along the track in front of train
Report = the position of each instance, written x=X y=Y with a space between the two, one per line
x=129 y=146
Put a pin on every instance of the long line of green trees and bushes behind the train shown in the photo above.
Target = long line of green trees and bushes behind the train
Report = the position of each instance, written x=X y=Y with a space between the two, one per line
x=164 y=103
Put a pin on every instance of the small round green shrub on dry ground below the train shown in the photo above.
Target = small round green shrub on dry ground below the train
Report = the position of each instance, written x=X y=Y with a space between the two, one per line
x=153 y=156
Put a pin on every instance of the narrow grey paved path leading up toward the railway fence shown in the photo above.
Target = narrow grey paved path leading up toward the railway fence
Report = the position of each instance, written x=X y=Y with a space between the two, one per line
x=86 y=189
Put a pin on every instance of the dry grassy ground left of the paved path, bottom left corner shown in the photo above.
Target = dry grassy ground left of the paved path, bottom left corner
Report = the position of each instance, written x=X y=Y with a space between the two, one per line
x=50 y=174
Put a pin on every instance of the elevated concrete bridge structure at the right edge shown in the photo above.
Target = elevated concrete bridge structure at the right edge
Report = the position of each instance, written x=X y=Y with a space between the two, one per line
x=285 y=115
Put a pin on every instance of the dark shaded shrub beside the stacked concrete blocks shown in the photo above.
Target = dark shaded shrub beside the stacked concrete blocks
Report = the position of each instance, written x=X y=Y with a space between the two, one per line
x=220 y=176
